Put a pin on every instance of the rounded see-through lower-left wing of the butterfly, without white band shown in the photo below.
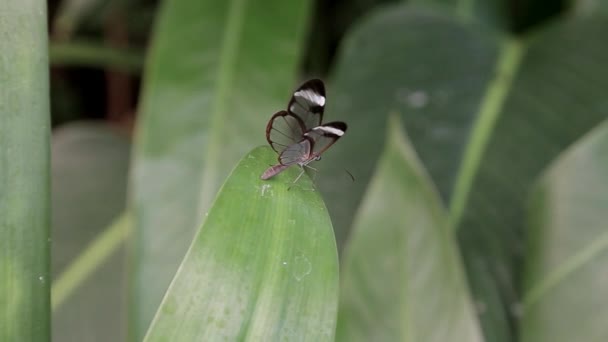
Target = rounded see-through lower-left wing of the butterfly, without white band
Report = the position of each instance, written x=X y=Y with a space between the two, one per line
x=283 y=130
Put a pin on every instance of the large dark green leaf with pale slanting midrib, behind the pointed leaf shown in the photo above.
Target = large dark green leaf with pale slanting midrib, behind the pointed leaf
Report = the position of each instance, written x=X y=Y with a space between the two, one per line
x=484 y=113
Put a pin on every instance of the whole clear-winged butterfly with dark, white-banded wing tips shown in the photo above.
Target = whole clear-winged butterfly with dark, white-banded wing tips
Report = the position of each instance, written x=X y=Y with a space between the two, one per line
x=297 y=134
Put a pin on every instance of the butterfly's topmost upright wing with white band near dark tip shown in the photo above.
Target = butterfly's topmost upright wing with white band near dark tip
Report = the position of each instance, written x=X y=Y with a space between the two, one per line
x=308 y=103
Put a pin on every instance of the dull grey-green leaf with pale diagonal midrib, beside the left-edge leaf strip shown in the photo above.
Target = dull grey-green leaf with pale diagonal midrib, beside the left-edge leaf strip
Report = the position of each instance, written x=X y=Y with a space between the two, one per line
x=89 y=173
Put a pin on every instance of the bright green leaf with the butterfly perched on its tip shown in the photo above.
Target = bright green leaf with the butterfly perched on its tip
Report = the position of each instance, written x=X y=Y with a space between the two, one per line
x=263 y=267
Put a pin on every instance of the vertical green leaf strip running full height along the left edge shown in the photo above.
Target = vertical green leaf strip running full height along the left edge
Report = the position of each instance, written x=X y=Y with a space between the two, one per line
x=24 y=172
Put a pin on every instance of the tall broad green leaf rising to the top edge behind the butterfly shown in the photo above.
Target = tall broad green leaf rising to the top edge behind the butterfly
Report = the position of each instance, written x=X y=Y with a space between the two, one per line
x=217 y=71
